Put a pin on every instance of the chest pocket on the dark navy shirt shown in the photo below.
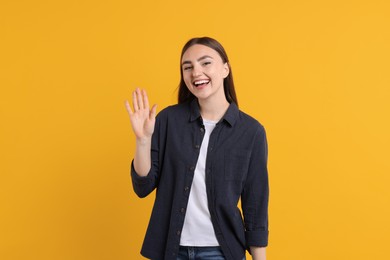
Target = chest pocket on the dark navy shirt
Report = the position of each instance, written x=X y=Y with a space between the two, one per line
x=236 y=164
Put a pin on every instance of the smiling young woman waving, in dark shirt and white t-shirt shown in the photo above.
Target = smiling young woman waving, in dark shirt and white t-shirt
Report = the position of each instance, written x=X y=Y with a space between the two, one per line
x=202 y=155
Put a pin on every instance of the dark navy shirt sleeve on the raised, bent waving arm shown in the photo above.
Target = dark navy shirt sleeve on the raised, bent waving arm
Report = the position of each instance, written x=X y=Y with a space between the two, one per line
x=144 y=185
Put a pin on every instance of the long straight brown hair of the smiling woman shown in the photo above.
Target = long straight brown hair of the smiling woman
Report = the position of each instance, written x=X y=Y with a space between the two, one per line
x=184 y=94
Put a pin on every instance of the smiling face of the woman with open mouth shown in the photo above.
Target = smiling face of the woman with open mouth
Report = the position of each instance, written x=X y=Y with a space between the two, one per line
x=204 y=72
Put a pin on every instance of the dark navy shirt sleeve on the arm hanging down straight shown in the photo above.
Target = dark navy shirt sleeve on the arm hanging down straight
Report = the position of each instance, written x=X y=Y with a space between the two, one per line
x=255 y=195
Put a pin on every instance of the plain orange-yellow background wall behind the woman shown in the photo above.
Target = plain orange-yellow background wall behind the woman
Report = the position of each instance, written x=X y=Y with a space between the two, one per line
x=315 y=73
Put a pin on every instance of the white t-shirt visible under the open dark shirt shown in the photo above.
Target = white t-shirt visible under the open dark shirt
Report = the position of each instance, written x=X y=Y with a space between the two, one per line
x=198 y=229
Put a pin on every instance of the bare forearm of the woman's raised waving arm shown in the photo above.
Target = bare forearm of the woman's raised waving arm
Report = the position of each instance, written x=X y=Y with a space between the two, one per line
x=142 y=161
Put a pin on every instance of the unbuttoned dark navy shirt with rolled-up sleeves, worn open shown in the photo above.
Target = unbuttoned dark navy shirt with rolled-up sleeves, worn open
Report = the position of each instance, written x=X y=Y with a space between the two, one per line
x=236 y=167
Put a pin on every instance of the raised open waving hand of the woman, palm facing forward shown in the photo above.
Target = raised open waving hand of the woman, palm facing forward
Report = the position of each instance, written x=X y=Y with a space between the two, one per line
x=142 y=118
